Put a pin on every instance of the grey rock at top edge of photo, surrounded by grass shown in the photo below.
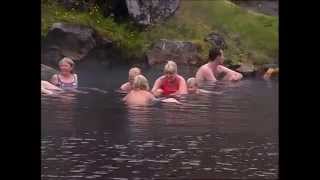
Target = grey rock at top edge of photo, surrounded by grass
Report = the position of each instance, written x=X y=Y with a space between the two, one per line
x=151 y=12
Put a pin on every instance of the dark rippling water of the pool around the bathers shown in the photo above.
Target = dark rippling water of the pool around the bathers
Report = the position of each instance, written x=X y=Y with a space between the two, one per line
x=96 y=136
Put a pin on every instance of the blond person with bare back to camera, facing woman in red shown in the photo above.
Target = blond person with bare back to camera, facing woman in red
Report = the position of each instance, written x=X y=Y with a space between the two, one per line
x=140 y=95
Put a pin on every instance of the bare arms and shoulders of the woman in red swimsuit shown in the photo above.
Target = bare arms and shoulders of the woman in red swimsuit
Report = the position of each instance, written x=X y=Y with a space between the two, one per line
x=182 y=85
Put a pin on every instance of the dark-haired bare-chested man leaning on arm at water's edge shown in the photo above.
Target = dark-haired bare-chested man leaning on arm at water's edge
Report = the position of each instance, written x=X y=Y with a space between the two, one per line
x=214 y=68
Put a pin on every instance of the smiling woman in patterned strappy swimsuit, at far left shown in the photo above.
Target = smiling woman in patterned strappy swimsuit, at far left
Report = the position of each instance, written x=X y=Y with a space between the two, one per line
x=66 y=78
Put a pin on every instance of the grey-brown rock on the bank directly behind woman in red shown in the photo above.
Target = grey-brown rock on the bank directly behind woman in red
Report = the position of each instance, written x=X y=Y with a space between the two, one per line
x=178 y=51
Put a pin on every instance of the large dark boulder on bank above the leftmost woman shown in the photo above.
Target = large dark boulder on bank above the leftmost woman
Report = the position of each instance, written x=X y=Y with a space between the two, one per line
x=74 y=41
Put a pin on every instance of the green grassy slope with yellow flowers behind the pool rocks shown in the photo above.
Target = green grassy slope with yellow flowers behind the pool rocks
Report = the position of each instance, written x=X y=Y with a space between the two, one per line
x=250 y=36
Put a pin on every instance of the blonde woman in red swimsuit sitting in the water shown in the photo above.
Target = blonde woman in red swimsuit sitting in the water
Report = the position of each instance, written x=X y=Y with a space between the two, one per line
x=171 y=83
